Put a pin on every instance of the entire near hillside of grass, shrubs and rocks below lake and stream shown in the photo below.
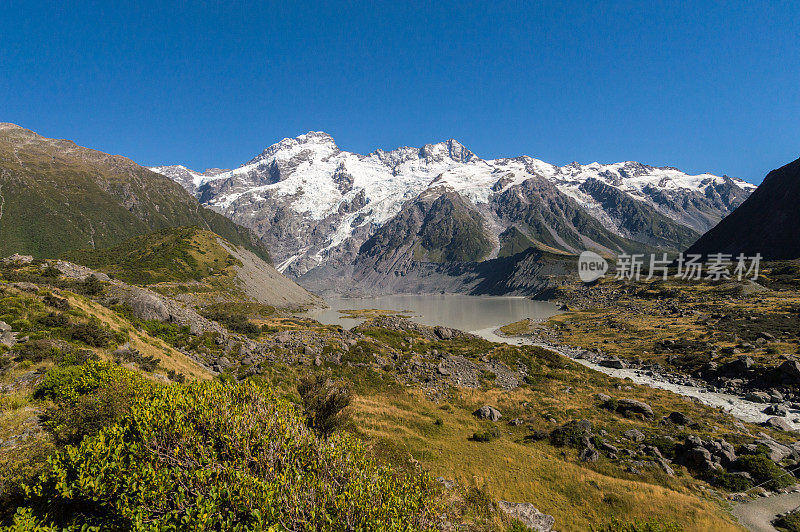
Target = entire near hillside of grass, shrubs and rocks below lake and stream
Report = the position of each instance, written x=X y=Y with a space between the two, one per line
x=114 y=402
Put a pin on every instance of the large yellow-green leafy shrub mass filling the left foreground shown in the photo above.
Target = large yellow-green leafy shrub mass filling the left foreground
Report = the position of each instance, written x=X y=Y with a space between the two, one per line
x=214 y=456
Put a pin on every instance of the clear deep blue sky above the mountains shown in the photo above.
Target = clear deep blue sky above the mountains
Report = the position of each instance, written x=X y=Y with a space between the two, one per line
x=704 y=85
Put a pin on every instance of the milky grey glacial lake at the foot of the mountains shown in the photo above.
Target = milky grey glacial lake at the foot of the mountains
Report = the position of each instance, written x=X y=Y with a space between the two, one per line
x=476 y=314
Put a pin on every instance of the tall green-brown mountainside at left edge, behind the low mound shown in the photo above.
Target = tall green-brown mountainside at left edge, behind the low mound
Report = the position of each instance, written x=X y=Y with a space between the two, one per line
x=56 y=196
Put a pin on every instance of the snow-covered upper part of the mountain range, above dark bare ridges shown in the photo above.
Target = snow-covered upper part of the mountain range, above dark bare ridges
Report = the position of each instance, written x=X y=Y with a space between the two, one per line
x=315 y=203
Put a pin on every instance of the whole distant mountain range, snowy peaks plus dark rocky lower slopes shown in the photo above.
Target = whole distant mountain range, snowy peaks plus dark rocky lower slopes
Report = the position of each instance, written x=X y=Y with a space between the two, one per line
x=324 y=212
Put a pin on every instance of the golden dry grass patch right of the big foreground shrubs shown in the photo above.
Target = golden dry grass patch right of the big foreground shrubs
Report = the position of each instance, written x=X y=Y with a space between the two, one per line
x=578 y=495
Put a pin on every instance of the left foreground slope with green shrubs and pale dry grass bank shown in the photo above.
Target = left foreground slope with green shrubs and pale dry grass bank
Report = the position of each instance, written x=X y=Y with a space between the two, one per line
x=95 y=436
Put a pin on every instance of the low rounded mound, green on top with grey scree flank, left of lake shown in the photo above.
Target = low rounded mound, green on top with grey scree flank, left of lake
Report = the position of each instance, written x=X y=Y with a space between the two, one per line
x=190 y=261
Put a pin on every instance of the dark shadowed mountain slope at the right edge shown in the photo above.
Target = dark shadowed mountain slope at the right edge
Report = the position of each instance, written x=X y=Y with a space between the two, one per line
x=768 y=222
